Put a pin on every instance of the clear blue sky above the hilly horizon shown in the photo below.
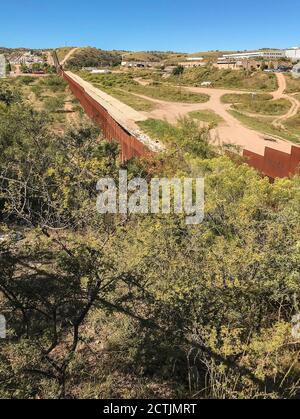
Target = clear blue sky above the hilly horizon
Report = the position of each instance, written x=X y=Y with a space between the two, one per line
x=185 y=25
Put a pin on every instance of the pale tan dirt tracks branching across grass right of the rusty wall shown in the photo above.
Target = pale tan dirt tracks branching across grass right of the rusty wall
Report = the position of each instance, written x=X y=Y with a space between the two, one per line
x=231 y=131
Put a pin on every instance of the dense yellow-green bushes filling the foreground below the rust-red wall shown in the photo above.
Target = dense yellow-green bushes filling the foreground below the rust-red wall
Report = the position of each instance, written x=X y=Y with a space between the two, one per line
x=107 y=306
